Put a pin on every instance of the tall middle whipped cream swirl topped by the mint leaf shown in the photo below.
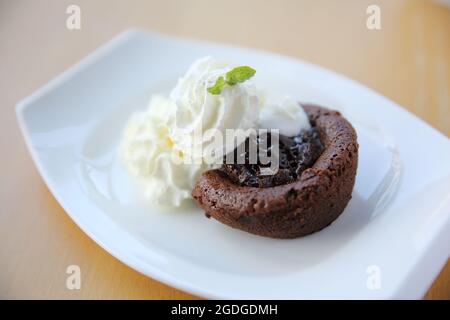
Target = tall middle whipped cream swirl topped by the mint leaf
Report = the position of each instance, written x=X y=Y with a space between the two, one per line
x=200 y=114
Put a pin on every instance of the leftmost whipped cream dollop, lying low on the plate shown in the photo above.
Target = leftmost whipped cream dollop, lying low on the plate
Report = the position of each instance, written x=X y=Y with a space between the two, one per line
x=148 y=153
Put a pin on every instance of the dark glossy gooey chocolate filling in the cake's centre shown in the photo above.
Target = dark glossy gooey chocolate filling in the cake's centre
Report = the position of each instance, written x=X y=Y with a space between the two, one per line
x=296 y=154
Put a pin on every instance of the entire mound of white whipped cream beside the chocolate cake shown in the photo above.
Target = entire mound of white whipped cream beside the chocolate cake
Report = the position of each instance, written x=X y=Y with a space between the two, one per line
x=163 y=146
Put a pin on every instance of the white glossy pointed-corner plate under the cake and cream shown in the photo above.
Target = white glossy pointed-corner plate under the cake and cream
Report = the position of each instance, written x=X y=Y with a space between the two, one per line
x=390 y=242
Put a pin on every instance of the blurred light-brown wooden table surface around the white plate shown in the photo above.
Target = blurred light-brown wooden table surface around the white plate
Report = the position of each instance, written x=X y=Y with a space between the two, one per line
x=408 y=60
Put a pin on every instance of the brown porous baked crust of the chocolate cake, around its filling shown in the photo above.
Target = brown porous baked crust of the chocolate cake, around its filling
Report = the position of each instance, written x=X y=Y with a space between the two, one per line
x=318 y=196
